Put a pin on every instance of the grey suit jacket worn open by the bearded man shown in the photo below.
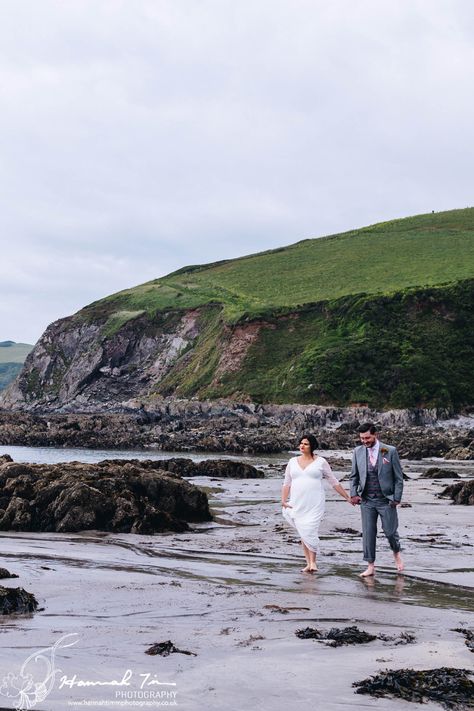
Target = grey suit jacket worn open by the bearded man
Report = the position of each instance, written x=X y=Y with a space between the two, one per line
x=389 y=471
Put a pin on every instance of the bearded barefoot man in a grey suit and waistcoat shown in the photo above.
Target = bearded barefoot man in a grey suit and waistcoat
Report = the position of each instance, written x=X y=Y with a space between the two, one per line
x=377 y=485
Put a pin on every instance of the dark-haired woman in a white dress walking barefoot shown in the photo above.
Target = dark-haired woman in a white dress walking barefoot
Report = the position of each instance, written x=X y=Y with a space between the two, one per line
x=304 y=508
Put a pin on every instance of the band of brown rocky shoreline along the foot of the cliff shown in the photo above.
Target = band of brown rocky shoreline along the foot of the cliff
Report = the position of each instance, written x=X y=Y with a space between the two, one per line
x=175 y=425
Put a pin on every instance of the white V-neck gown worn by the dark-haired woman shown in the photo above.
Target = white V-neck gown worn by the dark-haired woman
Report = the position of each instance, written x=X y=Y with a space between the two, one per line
x=307 y=498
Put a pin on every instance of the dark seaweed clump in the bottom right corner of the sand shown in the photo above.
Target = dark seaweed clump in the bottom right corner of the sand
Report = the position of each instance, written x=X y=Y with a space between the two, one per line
x=447 y=686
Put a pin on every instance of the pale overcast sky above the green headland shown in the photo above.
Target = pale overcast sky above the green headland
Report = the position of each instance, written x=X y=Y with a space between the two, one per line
x=140 y=136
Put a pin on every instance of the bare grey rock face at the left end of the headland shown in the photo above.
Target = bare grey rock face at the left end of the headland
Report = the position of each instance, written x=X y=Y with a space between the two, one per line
x=81 y=365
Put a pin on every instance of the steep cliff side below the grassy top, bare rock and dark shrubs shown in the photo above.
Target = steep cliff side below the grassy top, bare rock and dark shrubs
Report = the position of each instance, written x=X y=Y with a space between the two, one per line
x=414 y=348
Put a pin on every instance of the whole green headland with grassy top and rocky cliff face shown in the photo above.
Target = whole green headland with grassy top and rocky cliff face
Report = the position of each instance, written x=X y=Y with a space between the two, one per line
x=383 y=316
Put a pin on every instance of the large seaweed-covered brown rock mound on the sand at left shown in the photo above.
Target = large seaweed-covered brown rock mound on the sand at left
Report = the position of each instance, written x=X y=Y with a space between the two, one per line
x=109 y=496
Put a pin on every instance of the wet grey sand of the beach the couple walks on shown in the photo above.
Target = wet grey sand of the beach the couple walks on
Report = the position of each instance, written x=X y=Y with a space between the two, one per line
x=215 y=592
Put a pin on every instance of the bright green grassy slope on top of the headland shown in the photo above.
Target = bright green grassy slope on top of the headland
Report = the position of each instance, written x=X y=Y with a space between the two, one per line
x=425 y=250
